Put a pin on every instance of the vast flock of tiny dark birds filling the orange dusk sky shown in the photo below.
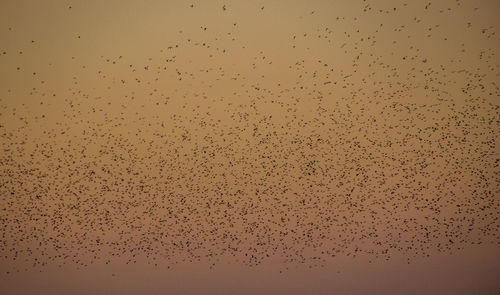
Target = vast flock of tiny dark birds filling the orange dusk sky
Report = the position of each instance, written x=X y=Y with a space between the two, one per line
x=196 y=154
